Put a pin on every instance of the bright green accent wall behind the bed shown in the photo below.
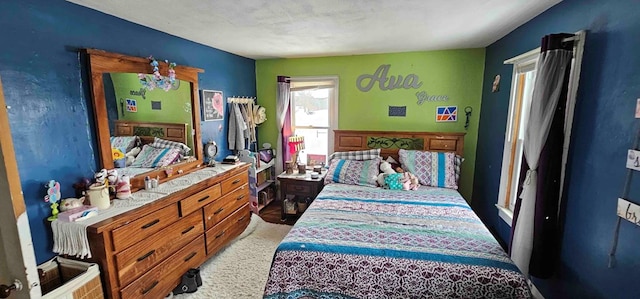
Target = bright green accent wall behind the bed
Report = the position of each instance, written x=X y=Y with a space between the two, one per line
x=457 y=74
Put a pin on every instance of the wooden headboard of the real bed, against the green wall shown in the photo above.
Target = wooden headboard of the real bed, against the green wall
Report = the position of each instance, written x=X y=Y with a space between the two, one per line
x=391 y=141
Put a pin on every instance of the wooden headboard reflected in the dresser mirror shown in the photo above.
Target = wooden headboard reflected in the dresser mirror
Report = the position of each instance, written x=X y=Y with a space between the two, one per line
x=146 y=130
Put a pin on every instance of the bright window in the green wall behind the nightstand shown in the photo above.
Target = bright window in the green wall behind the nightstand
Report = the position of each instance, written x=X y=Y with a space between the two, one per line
x=315 y=115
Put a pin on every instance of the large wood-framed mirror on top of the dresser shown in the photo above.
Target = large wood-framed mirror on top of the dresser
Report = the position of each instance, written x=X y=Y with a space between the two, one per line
x=160 y=125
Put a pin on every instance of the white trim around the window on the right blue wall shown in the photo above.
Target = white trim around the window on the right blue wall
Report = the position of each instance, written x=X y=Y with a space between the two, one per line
x=574 y=78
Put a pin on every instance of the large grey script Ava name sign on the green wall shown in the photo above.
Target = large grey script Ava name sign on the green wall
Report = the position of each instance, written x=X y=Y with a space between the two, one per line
x=387 y=83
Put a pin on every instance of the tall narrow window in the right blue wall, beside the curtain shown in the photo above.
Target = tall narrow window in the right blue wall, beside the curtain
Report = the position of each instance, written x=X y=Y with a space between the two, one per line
x=524 y=71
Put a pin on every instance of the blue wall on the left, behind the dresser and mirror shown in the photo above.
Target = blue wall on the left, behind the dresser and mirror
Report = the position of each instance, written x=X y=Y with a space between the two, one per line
x=51 y=116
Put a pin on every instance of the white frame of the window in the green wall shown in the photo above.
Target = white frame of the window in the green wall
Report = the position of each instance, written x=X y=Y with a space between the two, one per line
x=333 y=107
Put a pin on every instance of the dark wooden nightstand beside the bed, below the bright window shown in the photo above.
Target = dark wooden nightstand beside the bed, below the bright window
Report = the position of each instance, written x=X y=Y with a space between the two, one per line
x=297 y=191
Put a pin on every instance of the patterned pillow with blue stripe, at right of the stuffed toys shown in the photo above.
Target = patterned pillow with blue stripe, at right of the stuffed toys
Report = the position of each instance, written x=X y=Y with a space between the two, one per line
x=434 y=169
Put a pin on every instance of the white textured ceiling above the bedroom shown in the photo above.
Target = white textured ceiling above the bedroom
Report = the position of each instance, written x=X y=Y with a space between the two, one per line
x=311 y=28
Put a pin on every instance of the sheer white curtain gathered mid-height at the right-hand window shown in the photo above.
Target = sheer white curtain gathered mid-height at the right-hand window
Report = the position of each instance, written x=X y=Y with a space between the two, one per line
x=550 y=76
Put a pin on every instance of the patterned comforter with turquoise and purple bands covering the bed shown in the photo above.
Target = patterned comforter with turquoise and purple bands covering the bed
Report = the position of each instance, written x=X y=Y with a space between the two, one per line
x=363 y=242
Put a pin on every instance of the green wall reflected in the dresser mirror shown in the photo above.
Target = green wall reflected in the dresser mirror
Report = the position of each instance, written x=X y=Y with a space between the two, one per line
x=175 y=104
